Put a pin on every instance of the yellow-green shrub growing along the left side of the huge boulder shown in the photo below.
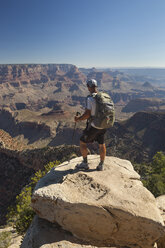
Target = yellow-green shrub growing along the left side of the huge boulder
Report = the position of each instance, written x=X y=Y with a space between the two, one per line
x=21 y=215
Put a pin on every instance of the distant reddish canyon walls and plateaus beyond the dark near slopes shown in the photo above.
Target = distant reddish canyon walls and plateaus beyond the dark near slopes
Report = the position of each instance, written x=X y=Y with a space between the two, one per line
x=38 y=101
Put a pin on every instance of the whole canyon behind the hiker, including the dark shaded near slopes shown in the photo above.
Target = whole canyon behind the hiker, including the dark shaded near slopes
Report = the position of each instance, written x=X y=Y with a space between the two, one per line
x=37 y=108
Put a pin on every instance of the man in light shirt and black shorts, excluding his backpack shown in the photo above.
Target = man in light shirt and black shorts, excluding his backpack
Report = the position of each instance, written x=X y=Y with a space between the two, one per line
x=91 y=132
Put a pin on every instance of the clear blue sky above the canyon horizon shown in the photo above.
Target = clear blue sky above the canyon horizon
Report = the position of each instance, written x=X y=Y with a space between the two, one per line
x=99 y=33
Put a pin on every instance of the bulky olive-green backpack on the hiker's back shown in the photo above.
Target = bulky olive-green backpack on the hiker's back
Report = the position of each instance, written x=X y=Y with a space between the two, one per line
x=105 y=112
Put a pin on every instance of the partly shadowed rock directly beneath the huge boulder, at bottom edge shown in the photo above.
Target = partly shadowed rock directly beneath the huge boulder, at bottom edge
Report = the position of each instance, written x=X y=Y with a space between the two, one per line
x=48 y=235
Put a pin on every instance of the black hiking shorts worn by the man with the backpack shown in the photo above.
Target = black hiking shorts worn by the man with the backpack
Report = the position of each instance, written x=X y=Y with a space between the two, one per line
x=93 y=134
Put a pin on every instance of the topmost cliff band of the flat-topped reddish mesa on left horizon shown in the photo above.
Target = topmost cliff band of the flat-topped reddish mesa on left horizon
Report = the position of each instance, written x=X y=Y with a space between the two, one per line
x=19 y=75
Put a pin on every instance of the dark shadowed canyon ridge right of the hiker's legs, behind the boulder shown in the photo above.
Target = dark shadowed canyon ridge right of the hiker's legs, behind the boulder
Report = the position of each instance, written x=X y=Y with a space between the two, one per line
x=138 y=138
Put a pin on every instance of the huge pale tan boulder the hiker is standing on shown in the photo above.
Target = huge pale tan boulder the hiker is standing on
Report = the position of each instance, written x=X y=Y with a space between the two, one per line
x=105 y=208
